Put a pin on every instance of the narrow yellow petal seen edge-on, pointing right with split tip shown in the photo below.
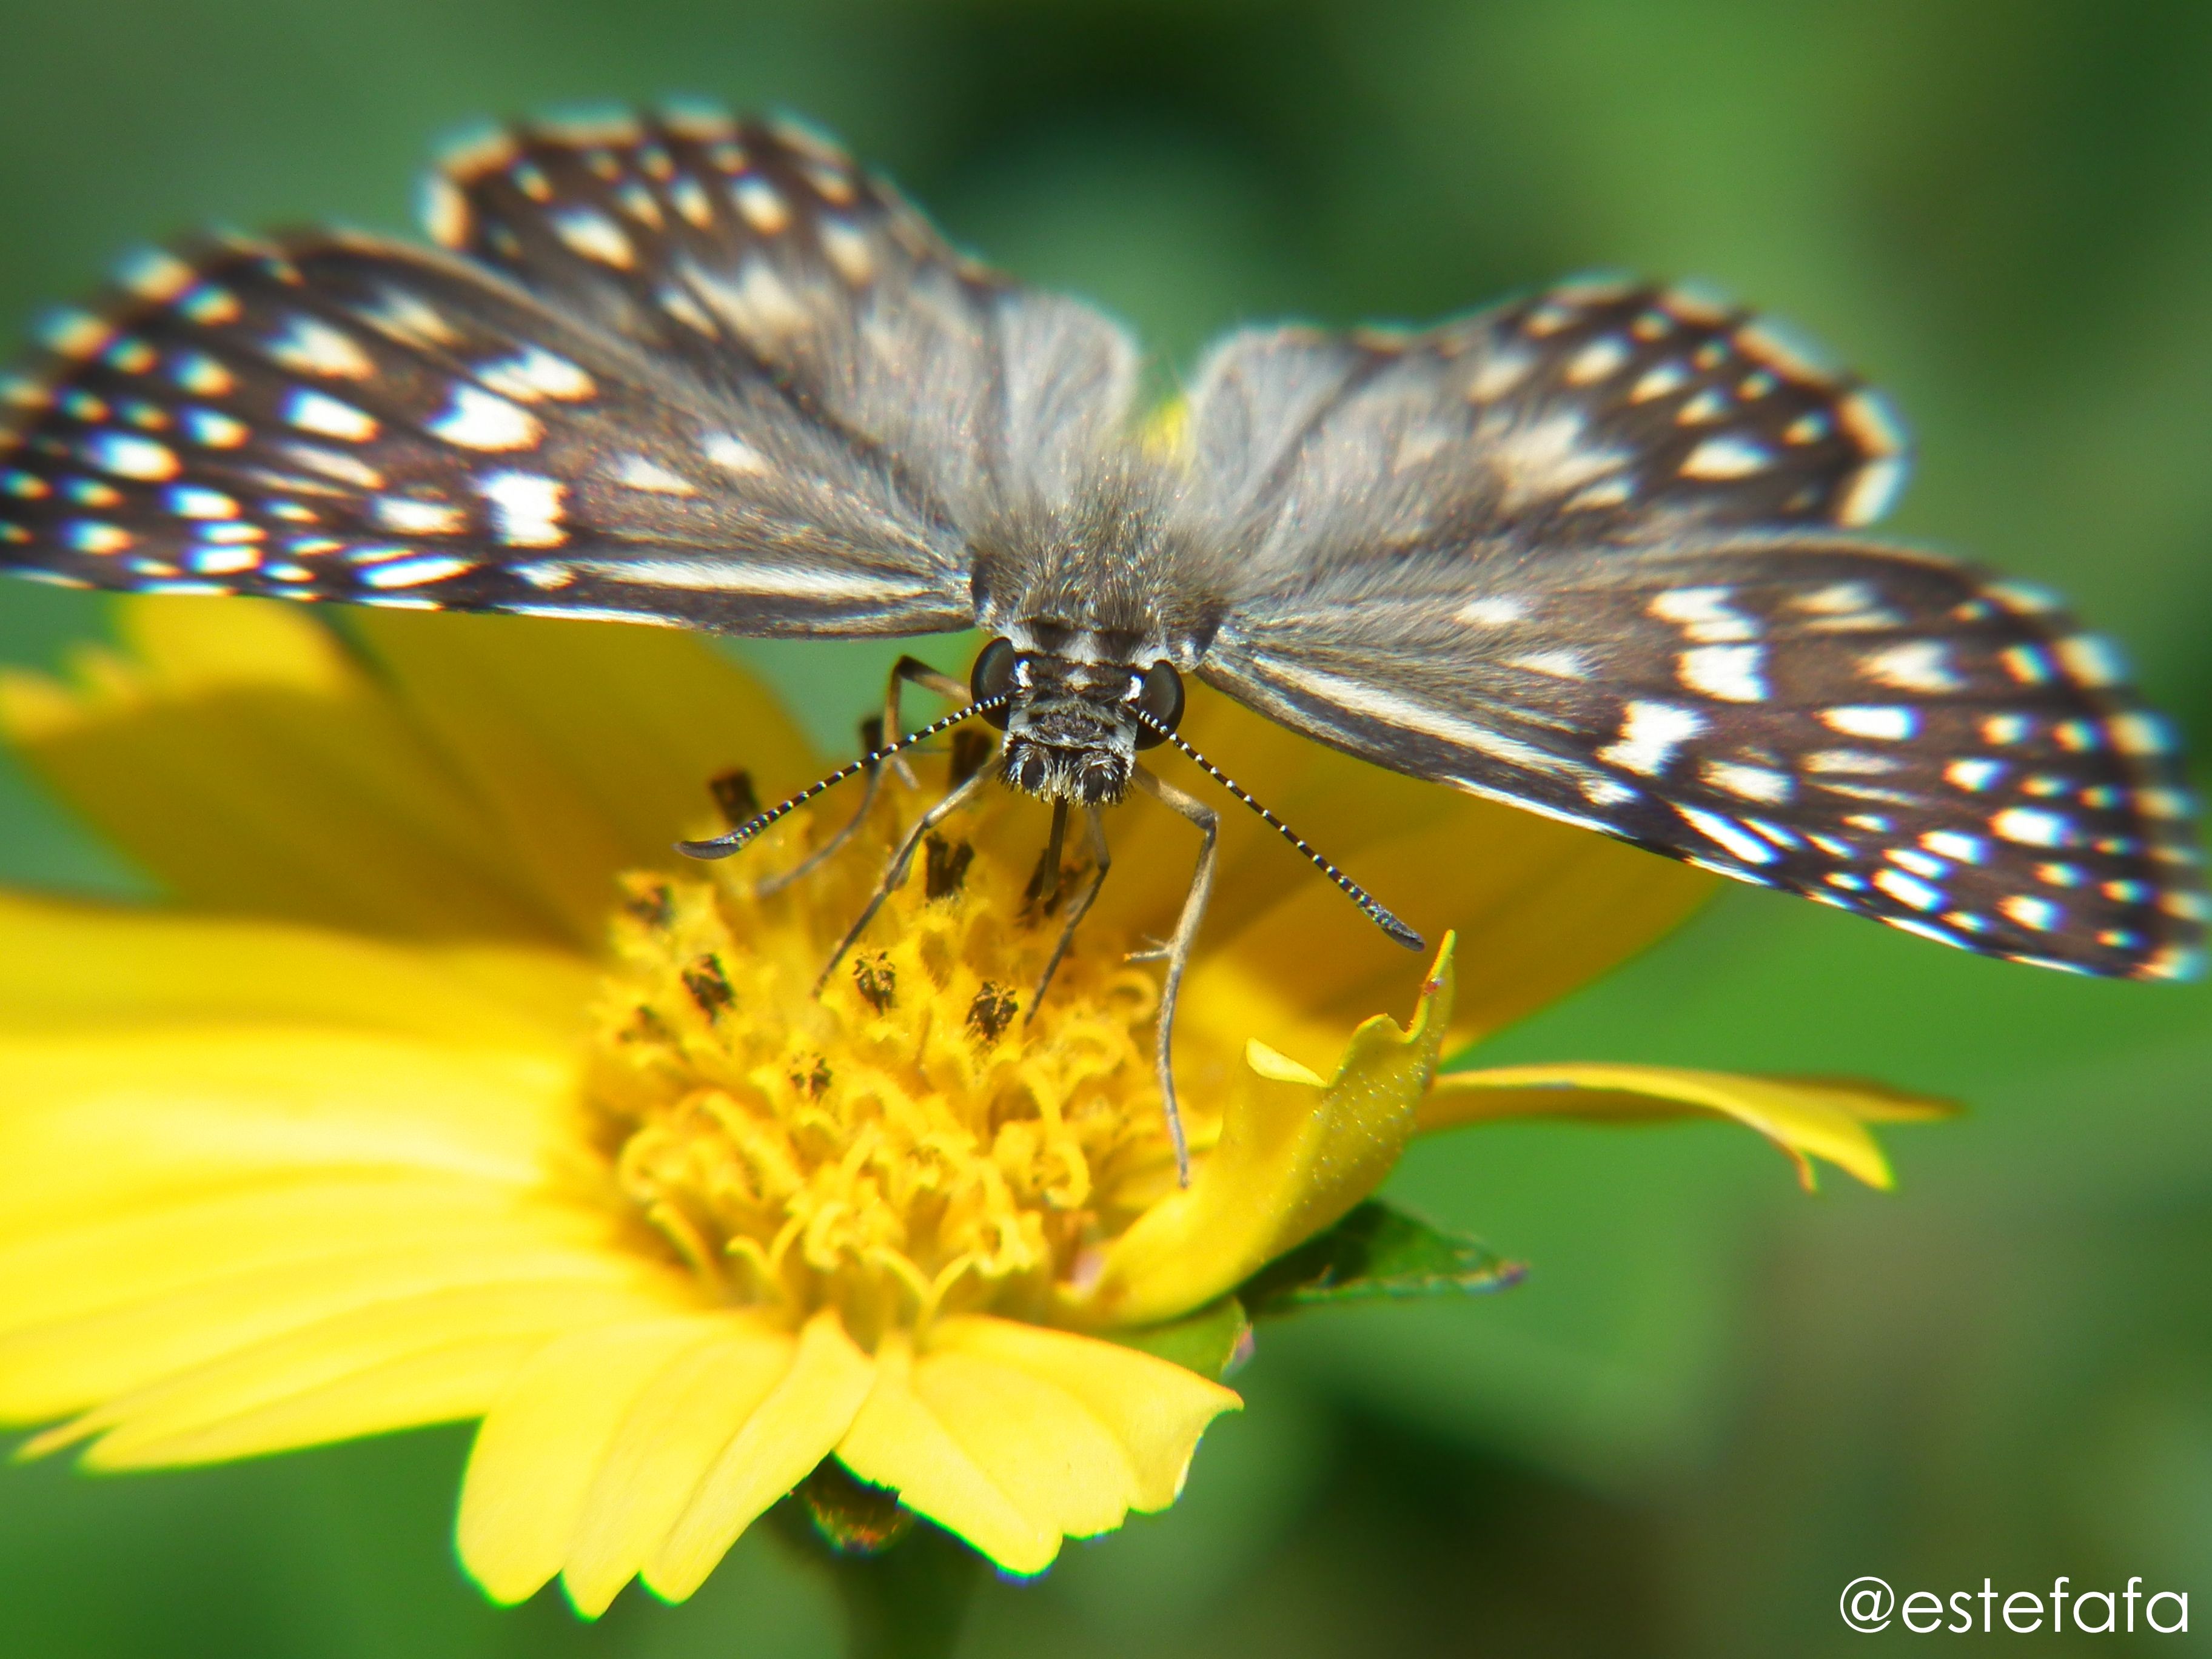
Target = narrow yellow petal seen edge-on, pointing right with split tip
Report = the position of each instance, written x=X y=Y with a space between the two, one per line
x=1804 y=1116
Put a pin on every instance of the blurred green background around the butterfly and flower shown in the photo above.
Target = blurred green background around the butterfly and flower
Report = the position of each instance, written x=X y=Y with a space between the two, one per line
x=1715 y=1401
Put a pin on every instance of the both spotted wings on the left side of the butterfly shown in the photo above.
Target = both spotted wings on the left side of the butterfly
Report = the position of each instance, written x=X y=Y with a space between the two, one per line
x=335 y=417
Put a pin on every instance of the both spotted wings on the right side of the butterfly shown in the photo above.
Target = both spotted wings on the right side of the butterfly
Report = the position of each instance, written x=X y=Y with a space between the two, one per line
x=1592 y=556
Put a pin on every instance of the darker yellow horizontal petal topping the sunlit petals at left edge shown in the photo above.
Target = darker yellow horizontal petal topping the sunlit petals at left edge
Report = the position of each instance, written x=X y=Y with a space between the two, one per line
x=70 y=966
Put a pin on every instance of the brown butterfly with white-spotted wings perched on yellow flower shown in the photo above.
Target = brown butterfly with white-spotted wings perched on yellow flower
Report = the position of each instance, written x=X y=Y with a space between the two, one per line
x=1594 y=552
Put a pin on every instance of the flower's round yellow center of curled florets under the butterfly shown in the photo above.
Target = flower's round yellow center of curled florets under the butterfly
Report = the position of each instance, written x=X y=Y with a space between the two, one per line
x=912 y=1138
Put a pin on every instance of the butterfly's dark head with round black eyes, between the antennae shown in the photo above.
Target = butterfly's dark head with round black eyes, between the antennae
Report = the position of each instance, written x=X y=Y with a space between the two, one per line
x=1072 y=722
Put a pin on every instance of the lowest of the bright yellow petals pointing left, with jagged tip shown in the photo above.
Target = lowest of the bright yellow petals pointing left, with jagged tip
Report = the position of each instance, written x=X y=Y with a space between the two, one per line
x=388 y=1366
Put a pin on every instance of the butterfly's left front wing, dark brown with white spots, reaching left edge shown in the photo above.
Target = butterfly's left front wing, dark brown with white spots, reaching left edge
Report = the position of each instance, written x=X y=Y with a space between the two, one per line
x=335 y=417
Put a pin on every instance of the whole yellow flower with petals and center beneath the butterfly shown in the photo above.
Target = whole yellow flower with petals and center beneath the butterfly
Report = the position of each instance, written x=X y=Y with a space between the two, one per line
x=446 y=1092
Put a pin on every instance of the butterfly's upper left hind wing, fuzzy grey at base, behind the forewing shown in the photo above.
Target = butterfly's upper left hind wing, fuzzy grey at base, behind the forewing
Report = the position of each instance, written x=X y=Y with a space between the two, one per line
x=760 y=249
